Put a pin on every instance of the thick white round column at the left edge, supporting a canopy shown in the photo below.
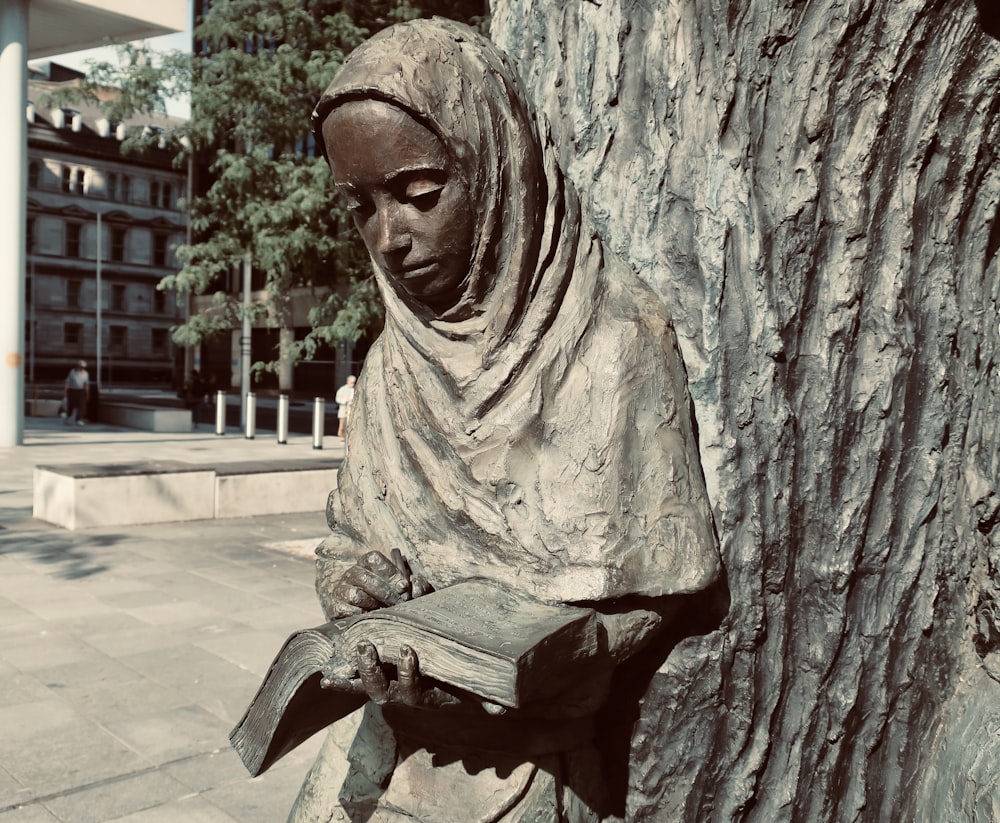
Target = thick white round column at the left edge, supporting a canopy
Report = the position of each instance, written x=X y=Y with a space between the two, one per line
x=13 y=207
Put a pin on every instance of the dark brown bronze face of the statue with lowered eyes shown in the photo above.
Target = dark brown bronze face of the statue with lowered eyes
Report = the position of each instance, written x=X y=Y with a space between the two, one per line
x=408 y=198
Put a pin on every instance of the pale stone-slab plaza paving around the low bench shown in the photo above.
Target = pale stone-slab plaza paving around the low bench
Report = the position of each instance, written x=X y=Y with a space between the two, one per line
x=128 y=653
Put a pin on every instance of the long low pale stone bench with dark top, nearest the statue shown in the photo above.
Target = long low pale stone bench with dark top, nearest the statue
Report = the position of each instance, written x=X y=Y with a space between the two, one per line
x=82 y=496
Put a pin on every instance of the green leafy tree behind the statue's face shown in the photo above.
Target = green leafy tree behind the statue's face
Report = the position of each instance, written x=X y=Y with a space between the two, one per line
x=260 y=188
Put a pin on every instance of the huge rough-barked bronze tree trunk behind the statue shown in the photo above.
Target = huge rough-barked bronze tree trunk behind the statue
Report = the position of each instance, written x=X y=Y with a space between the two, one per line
x=811 y=186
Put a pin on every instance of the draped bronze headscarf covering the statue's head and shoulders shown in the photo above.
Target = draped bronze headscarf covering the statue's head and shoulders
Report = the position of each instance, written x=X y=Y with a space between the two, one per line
x=537 y=431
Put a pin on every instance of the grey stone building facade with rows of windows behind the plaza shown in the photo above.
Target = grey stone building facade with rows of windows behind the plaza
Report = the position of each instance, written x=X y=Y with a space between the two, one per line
x=81 y=183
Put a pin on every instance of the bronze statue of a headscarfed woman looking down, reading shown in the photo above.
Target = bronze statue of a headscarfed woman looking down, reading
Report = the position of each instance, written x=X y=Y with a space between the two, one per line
x=523 y=418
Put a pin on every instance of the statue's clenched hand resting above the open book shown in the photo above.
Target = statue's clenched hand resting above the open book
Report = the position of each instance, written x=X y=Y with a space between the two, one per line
x=374 y=582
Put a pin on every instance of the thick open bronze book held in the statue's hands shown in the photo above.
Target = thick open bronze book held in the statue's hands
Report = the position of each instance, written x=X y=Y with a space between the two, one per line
x=491 y=641
